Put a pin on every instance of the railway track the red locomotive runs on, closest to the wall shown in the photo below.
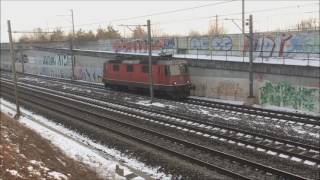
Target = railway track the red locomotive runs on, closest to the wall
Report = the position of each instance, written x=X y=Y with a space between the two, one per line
x=281 y=115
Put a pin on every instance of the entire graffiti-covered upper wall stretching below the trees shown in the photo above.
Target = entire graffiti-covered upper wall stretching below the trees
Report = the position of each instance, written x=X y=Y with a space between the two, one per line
x=275 y=44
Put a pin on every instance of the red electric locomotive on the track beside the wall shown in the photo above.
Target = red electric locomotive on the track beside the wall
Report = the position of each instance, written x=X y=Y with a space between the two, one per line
x=170 y=77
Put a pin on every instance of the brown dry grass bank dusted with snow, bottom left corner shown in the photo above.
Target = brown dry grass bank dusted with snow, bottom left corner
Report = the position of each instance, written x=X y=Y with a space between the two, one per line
x=33 y=157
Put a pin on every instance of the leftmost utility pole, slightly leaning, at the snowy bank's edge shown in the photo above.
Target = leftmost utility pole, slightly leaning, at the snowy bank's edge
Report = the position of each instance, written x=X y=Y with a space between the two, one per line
x=13 y=57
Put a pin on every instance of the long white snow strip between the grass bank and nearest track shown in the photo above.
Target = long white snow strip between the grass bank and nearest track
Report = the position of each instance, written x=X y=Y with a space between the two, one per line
x=77 y=149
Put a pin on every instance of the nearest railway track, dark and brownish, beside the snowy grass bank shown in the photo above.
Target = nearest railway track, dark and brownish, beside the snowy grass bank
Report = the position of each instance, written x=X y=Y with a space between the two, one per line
x=82 y=109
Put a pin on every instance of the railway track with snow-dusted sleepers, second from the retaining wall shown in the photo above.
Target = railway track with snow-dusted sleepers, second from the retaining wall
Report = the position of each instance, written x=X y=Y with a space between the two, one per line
x=263 y=143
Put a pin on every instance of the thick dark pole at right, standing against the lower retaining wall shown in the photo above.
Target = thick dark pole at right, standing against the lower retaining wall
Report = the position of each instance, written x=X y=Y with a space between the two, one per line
x=250 y=58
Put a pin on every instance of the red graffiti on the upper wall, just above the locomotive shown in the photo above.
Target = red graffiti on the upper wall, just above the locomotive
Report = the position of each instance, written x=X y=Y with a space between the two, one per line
x=141 y=45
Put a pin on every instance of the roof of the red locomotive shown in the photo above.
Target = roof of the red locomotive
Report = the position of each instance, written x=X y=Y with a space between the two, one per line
x=145 y=61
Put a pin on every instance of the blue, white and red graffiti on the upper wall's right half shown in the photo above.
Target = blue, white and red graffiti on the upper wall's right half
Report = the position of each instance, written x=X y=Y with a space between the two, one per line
x=289 y=44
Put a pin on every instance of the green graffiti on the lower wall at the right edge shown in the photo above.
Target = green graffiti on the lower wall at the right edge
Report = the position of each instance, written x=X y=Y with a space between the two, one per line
x=285 y=95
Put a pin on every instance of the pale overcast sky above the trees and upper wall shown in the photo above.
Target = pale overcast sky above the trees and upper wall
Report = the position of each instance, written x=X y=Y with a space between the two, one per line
x=267 y=15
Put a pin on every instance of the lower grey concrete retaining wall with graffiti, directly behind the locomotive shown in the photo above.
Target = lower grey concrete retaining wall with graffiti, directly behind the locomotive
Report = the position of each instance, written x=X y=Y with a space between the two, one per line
x=279 y=85
